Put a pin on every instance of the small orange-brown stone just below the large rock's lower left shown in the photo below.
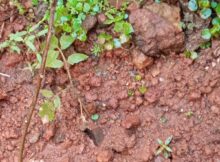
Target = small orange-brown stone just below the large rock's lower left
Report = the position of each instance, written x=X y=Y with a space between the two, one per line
x=140 y=60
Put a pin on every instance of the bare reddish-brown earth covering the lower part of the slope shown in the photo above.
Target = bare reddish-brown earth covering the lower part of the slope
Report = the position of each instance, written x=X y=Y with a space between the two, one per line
x=129 y=127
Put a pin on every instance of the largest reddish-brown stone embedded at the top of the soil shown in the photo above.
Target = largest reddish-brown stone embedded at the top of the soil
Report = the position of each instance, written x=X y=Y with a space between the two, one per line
x=157 y=29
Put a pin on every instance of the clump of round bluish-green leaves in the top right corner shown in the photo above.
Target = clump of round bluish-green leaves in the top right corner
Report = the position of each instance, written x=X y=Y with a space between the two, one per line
x=207 y=9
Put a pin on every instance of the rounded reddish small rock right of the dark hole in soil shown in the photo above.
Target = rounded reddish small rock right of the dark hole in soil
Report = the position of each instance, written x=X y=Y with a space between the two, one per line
x=131 y=121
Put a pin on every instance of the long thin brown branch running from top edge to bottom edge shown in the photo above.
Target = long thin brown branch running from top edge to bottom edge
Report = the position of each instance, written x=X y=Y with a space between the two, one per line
x=39 y=81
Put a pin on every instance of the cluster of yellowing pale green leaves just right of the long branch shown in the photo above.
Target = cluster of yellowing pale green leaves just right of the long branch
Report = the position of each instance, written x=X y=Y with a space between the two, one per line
x=48 y=108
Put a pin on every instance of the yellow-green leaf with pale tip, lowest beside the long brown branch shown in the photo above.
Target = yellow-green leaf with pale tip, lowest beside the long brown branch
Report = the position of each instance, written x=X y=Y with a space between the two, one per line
x=47 y=112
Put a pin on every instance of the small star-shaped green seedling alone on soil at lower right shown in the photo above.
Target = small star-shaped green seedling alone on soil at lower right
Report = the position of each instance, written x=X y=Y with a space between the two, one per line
x=164 y=147
